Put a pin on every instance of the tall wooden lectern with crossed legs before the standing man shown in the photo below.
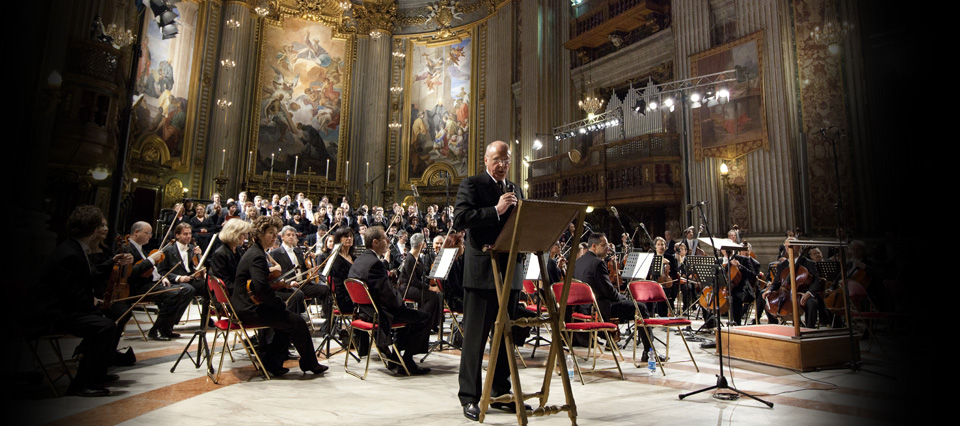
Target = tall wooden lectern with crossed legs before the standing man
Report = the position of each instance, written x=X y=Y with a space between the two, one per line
x=532 y=228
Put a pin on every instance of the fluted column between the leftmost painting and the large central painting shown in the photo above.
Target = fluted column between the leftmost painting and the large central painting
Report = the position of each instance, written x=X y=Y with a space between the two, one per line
x=234 y=67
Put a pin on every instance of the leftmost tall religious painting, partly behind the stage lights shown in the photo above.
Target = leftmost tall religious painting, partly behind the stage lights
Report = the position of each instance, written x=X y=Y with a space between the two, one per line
x=163 y=92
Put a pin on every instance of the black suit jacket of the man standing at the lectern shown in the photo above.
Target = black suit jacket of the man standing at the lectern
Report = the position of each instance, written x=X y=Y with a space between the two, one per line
x=476 y=212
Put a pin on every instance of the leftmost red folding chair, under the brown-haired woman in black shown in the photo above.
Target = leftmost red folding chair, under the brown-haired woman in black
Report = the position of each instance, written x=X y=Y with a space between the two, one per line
x=229 y=322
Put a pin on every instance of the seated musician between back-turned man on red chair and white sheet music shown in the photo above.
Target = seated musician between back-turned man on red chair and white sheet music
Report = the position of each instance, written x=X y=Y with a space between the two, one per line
x=415 y=286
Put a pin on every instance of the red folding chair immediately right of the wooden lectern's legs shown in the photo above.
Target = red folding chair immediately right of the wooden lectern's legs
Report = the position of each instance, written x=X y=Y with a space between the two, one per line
x=582 y=294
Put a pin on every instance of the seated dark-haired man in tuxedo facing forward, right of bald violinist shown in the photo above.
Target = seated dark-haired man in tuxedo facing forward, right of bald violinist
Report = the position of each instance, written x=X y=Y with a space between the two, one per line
x=179 y=267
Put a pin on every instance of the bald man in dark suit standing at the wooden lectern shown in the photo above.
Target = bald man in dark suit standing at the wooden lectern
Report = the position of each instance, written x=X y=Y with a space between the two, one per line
x=484 y=202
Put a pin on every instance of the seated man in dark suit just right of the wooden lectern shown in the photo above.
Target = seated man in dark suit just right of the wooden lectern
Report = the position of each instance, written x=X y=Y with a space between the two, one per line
x=613 y=305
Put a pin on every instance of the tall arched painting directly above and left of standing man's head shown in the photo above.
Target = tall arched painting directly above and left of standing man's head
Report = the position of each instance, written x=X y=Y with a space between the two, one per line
x=439 y=99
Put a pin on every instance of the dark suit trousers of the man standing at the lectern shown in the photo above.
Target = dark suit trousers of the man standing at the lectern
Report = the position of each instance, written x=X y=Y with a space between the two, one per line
x=480 y=308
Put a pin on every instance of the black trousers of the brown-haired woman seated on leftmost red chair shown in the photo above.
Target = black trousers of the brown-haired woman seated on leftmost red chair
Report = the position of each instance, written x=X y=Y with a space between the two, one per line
x=287 y=326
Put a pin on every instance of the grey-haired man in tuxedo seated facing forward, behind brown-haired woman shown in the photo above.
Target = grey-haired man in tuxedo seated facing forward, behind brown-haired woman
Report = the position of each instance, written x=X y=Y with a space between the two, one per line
x=290 y=256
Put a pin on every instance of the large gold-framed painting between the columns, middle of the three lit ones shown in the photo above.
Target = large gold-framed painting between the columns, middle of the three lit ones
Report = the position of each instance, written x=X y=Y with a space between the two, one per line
x=301 y=92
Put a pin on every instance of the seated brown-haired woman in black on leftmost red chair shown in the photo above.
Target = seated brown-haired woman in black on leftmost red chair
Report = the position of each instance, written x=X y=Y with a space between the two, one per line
x=257 y=303
